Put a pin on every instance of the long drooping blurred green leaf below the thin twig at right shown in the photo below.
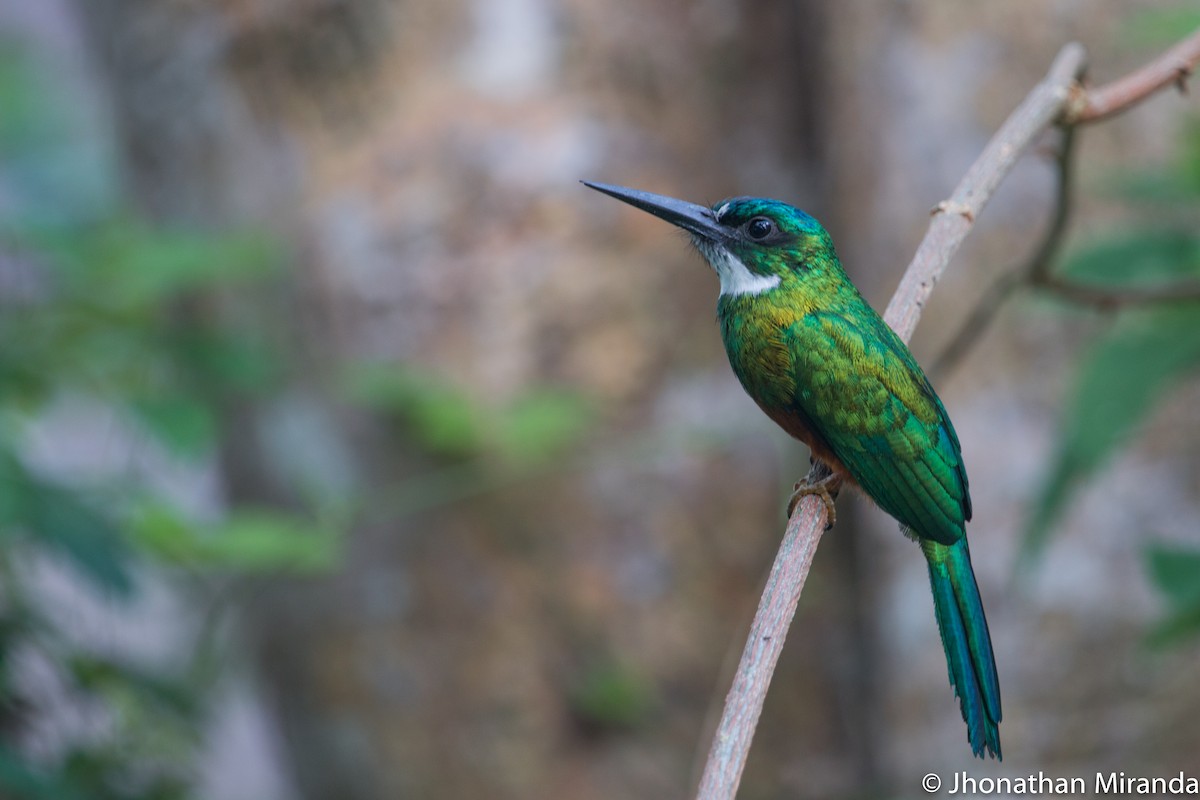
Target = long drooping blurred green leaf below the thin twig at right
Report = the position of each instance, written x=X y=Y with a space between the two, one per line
x=1119 y=383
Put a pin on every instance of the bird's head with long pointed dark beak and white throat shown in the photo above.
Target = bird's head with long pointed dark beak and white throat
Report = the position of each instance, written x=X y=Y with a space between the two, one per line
x=754 y=244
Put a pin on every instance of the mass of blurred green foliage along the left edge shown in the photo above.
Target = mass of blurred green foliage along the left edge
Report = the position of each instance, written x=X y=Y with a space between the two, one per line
x=101 y=308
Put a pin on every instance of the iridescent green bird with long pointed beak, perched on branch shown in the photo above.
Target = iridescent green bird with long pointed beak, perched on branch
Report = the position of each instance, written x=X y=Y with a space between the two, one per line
x=824 y=365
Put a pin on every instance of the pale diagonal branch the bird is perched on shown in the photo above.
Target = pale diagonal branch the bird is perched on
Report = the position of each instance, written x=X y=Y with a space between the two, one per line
x=952 y=222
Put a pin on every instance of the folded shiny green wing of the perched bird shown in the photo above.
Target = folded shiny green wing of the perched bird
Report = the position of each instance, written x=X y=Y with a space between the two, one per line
x=867 y=398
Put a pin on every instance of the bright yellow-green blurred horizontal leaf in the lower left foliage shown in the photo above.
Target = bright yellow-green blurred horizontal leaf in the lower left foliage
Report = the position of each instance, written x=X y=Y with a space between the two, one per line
x=249 y=542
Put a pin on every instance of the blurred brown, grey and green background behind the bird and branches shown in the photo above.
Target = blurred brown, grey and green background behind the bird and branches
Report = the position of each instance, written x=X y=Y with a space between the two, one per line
x=351 y=449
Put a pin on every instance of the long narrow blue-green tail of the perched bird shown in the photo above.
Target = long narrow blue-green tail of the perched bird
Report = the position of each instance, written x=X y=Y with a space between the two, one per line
x=968 y=645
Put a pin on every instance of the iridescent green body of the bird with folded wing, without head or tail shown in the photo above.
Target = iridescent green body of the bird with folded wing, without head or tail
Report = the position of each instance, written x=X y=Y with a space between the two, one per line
x=829 y=370
